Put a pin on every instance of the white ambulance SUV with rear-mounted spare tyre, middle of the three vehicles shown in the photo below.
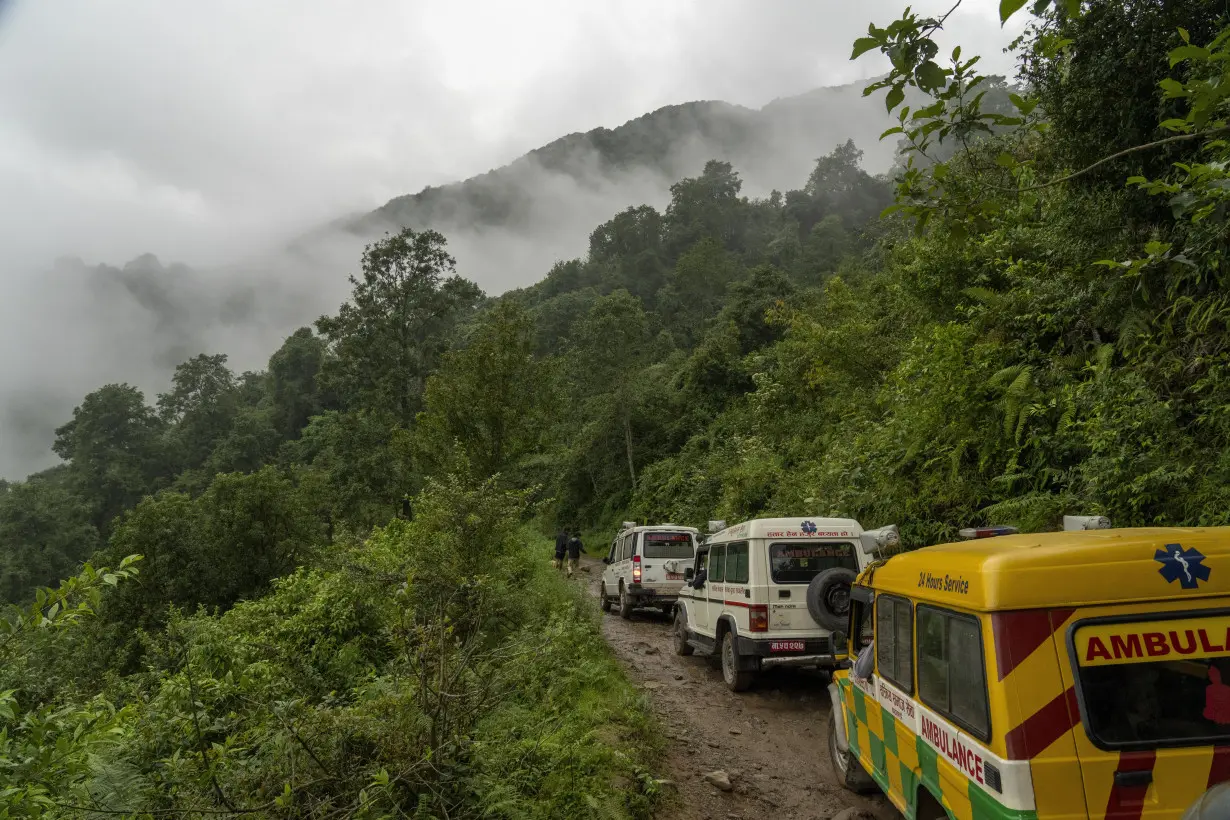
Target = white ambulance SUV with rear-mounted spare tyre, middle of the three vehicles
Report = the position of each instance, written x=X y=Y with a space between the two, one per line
x=772 y=592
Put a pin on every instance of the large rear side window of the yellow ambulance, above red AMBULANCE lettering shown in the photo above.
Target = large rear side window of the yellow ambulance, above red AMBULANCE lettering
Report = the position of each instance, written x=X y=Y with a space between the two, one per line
x=953 y=673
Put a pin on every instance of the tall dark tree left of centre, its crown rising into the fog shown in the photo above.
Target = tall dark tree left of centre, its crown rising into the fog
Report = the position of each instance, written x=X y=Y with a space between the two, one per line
x=388 y=340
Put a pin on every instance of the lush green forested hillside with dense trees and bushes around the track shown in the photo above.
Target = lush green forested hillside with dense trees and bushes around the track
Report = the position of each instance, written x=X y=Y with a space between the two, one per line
x=341 y=607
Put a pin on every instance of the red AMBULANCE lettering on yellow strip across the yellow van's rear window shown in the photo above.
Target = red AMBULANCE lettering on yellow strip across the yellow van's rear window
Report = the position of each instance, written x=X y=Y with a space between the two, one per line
x=1152 y=641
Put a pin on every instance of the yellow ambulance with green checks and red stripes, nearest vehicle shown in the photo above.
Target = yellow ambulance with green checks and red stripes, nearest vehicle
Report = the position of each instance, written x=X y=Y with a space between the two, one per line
x=1056 y=676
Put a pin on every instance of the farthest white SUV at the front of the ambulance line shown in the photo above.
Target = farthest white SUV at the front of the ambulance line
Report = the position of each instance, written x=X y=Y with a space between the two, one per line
x=648 y=566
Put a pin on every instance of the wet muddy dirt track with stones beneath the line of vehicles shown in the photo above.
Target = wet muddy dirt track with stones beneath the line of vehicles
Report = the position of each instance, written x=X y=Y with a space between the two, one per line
x=771 y=741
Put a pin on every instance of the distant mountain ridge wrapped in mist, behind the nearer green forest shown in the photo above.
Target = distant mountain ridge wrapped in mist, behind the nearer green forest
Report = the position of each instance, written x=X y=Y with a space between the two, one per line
x=611 y=169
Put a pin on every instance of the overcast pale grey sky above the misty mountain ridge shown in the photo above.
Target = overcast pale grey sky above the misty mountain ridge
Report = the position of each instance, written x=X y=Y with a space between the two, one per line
x=197 y=131
